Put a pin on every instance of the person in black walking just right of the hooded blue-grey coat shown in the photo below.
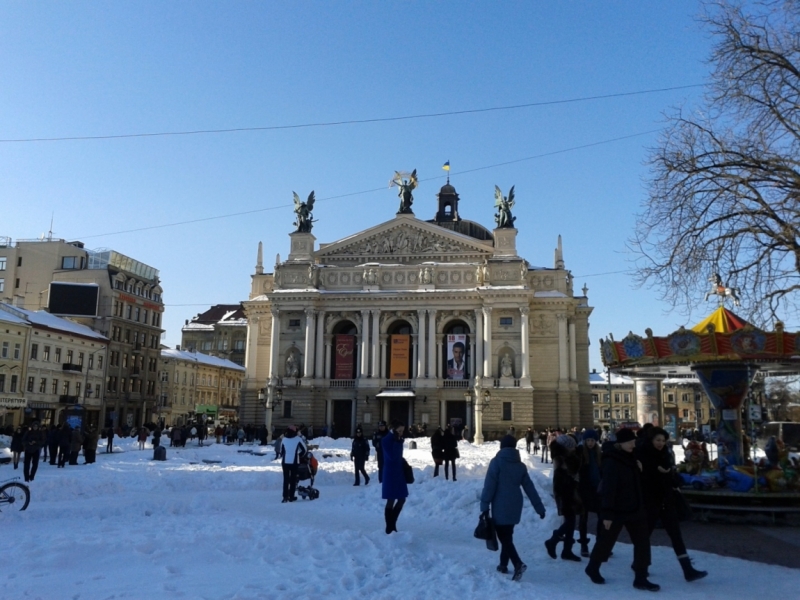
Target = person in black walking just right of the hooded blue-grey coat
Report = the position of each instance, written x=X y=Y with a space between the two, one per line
x=565 y=490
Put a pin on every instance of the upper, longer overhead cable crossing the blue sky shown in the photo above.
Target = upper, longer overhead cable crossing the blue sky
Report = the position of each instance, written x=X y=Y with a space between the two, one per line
x=347 y=122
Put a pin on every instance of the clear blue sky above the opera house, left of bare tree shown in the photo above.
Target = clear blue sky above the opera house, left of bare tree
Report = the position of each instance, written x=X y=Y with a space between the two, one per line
x=91 y=68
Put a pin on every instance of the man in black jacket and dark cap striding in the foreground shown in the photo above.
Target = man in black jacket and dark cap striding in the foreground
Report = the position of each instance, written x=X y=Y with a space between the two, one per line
x=622 y=505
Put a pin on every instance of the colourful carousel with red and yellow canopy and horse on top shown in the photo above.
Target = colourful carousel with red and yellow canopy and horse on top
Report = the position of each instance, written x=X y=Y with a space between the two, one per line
x=725 y=354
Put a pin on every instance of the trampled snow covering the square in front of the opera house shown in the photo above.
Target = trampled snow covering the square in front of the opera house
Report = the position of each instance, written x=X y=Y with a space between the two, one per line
x=128 y=527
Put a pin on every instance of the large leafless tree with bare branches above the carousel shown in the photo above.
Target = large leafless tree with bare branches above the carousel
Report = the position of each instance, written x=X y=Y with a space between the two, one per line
x=724 y=192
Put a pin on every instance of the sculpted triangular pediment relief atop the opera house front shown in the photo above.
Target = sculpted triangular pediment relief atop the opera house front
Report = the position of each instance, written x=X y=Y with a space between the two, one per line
x=414 y=239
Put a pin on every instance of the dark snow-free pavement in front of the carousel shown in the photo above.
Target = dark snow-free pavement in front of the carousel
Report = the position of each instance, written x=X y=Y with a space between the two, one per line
x=776 y=545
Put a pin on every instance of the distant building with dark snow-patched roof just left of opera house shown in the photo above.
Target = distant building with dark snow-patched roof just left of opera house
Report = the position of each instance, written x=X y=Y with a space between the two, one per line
x=220 y=331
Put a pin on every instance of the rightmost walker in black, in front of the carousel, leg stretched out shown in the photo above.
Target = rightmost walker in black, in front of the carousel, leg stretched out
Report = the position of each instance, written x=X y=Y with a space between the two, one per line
x=660 y=496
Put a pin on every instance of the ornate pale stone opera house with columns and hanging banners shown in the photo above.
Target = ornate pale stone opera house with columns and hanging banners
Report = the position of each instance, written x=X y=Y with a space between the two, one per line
x=426 y=321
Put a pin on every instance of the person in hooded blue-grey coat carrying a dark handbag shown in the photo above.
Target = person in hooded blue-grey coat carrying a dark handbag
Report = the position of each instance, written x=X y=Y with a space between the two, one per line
x=501 y=493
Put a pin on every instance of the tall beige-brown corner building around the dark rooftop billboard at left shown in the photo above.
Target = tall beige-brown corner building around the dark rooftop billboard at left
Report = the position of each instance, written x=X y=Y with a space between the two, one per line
x=128 y=311
